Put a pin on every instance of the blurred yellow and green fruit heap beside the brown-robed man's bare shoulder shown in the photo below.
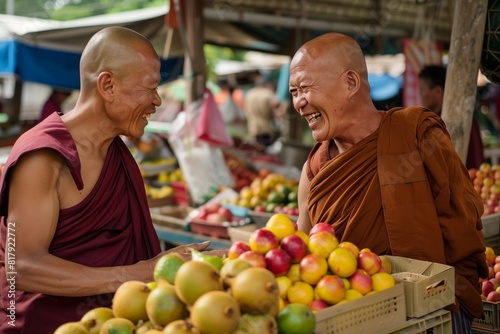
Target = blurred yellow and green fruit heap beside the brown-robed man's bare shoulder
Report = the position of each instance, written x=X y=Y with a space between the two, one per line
x=269 y=192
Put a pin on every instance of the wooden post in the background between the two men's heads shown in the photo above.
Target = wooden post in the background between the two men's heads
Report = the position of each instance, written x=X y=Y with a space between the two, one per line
x=194 y=72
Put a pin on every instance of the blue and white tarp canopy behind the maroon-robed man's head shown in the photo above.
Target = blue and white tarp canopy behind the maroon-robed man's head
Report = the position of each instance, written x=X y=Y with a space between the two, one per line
x=48 y=52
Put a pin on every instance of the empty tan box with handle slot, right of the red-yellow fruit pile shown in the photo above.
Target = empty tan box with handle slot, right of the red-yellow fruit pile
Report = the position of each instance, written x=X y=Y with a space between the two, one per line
x=428 y=286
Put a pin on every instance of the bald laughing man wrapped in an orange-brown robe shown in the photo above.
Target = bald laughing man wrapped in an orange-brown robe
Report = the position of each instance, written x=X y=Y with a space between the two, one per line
x=388 y=181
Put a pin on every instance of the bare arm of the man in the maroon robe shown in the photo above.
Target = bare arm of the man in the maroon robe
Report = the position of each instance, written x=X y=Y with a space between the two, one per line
x=34 y=206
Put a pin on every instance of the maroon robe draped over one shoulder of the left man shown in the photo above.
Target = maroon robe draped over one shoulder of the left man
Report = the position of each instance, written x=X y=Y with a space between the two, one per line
x=111 y=227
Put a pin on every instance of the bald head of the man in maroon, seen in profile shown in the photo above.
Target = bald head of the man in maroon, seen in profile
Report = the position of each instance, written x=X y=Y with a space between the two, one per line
x=120 y=74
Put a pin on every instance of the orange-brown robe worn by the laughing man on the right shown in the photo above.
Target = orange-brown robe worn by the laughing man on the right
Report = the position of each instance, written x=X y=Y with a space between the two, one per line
x=404 y=191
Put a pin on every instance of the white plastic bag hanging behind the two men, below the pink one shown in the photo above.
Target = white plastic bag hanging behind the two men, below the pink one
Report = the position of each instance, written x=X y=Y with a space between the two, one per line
x=203 y=165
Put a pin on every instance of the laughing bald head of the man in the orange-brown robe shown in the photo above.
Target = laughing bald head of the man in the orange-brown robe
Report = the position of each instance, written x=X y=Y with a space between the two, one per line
x=326 y=73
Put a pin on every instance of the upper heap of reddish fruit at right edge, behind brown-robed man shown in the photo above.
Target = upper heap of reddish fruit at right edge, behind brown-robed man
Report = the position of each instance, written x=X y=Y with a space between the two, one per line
x=486 y=180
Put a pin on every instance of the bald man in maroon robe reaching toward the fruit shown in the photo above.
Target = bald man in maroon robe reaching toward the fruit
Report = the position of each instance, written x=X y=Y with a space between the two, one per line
x=75 y=220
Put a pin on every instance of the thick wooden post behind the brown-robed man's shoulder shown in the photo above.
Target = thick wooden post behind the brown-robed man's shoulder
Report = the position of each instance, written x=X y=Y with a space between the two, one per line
x=463 y=65
